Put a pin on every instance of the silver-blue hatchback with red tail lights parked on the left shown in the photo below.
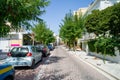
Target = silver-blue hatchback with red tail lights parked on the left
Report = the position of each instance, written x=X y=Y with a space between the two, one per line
x=24 y=56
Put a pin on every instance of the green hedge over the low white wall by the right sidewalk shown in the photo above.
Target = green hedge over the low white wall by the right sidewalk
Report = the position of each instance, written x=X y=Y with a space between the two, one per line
x=102 y=45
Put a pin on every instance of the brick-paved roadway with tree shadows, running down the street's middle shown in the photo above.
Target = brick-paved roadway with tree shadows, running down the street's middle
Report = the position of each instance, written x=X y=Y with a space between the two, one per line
x=63 y=66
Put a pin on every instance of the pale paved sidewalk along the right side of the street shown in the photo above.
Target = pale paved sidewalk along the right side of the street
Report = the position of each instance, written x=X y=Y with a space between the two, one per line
x=113 y=69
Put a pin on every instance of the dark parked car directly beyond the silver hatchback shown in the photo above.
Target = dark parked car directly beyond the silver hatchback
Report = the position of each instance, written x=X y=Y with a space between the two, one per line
x=44 y=49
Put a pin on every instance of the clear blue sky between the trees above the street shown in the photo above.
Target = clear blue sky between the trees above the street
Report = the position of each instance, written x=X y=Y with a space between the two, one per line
x=57 y=9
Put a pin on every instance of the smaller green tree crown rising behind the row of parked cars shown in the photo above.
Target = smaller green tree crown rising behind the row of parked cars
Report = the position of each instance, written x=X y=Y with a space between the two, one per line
x=43 y=34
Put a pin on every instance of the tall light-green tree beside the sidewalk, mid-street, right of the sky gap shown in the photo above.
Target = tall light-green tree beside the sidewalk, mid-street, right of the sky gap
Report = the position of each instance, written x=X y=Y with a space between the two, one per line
x=71 y=29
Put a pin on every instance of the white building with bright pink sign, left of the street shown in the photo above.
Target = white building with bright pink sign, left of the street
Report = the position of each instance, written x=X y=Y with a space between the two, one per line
x=13 y=39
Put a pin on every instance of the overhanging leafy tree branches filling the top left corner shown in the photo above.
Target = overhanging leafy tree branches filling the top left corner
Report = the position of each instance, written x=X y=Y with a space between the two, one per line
x=19 y=12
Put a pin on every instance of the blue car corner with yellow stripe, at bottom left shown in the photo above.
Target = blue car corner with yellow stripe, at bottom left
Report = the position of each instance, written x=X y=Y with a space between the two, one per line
x=7 y=72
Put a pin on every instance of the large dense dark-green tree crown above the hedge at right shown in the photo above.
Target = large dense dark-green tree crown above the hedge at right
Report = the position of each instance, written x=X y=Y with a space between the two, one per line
x=108 y=19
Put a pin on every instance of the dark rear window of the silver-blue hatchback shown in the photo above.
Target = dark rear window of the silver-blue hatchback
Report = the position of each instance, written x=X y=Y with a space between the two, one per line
x=19 y=52
